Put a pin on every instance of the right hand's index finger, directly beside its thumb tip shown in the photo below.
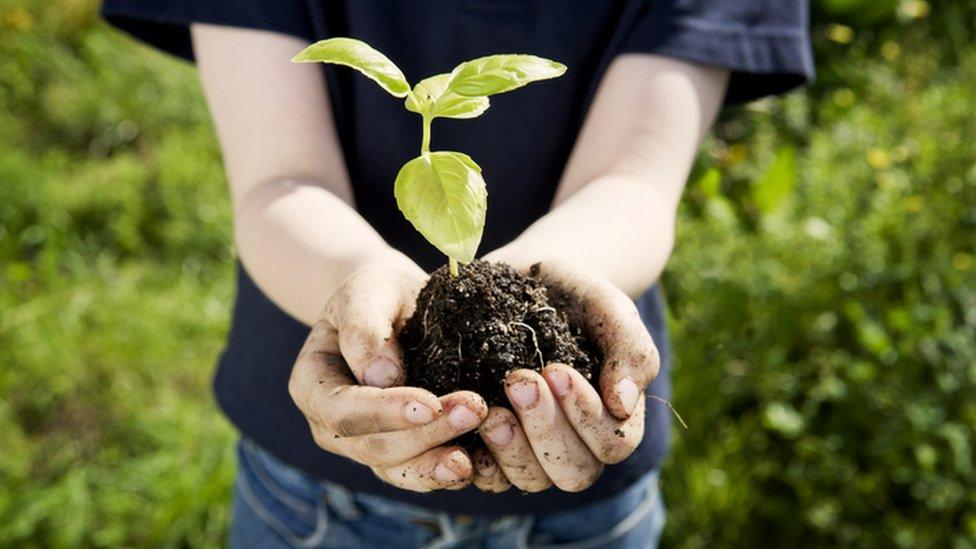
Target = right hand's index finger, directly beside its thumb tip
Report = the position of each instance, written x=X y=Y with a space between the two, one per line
x=610 y=439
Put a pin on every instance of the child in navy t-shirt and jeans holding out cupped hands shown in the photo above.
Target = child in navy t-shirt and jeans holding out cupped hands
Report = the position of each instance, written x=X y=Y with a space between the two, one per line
x=584 y=175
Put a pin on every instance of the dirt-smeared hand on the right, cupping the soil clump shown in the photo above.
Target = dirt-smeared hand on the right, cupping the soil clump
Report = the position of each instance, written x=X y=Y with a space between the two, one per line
x=563 y=430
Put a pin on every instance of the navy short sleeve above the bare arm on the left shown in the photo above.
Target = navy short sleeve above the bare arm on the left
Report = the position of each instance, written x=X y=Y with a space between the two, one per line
x=165 y=24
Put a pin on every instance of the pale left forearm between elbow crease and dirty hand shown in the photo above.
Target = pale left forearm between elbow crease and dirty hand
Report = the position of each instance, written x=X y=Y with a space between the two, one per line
x=299 y=242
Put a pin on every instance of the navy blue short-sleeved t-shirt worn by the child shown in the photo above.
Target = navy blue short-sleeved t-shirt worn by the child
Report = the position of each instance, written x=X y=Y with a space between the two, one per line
x=522 y=143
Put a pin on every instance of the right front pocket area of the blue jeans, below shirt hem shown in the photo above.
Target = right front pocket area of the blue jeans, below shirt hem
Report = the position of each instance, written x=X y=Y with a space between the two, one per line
x=633 y=519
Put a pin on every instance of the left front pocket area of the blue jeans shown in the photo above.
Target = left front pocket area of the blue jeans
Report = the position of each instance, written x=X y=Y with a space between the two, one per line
x=296 y=516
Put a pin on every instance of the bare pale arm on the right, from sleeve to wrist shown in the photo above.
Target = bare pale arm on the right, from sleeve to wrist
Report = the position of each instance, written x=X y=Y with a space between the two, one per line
x=614 y=210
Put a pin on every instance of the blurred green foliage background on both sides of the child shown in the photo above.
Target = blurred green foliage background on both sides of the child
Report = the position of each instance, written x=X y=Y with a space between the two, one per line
x=822 y=293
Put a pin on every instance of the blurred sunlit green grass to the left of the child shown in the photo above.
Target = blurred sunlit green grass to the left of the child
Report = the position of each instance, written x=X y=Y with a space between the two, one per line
x=115 y=278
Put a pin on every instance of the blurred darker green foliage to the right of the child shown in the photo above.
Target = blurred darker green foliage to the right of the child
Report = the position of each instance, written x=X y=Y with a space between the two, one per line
x=823 y=294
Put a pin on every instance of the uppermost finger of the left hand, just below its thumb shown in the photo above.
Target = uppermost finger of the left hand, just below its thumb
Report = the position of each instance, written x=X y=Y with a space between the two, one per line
x=325 y=392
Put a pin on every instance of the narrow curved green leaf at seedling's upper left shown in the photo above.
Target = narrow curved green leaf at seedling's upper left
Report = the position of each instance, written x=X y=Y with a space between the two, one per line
x=360 y=56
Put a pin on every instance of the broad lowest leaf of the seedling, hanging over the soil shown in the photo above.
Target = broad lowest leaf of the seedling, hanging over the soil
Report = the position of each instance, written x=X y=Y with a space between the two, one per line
x=443 y=195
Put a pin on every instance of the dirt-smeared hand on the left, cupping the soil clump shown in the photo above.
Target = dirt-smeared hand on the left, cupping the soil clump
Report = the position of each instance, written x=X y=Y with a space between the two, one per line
x=346 y=382
